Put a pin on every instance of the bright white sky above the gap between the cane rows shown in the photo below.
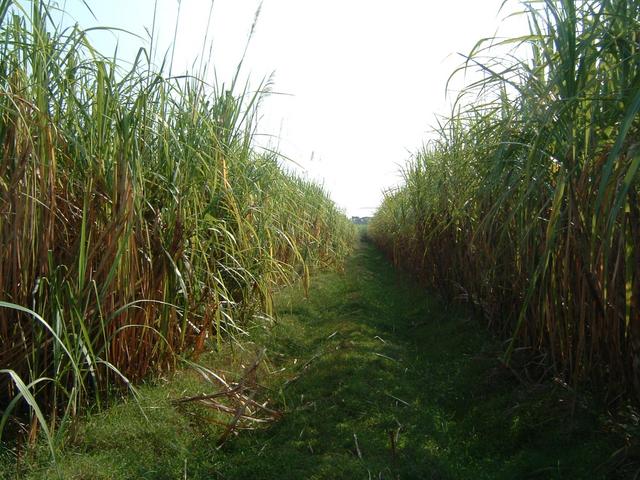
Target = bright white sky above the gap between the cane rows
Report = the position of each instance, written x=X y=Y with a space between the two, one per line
x=364 y=78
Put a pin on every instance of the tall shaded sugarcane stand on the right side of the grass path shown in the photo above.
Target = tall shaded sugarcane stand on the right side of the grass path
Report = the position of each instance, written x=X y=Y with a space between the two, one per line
x=527 y=203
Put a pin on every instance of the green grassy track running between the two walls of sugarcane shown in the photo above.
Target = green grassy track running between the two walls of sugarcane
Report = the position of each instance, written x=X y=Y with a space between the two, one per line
x=374 y=383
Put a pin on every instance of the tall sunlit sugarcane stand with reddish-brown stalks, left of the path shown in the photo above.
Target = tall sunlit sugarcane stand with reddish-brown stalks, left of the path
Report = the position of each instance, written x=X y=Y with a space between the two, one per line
x=138 y=221
